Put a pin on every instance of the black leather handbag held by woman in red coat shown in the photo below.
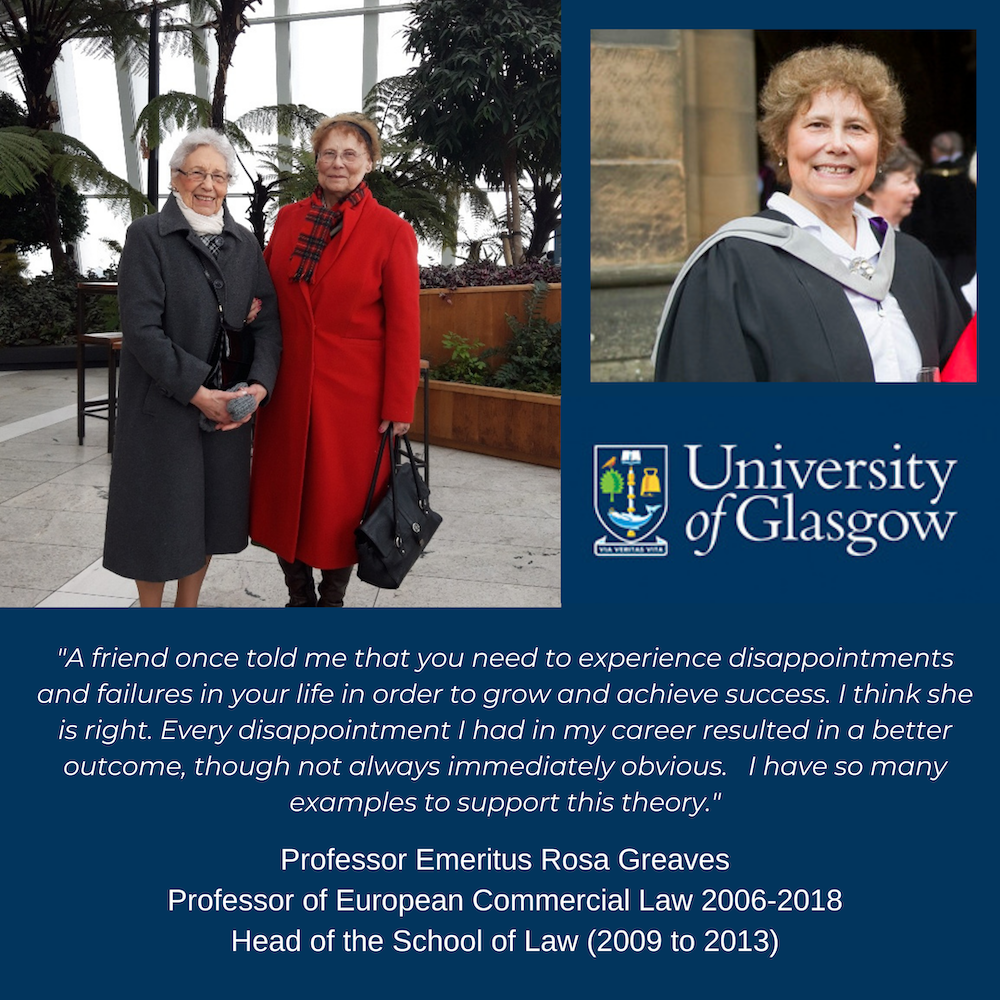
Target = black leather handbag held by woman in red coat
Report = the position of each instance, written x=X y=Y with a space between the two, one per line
x=392 y=536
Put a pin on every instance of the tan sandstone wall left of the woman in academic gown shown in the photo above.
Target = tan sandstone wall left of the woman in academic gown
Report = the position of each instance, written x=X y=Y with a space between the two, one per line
x=673 y=156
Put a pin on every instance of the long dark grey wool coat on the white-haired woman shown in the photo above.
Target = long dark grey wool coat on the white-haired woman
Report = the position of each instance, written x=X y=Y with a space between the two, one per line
x=177 y=493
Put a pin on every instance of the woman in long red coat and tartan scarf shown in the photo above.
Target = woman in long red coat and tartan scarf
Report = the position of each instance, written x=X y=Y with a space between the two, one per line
x=345 y=271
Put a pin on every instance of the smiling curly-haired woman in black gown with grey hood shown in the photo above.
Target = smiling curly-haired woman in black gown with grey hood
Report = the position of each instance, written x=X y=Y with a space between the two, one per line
x=811 y=289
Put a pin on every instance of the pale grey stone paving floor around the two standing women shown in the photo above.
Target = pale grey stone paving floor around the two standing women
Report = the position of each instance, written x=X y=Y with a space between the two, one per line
x=498 y=545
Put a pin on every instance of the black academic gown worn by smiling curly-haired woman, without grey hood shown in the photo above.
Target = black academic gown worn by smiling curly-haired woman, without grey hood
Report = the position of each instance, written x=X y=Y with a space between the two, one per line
x=748 y=312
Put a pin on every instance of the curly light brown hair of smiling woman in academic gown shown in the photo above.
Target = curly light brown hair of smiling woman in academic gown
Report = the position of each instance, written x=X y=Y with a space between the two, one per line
x=794 y=82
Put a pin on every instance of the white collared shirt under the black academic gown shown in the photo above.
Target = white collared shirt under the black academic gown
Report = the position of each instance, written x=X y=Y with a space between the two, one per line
x=893 y=348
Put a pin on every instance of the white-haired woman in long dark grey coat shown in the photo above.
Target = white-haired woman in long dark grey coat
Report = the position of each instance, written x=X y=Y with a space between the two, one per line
x=200 y=351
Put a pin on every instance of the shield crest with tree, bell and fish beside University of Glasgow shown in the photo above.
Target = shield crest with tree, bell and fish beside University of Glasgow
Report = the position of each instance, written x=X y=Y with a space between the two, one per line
x=630 y=498
